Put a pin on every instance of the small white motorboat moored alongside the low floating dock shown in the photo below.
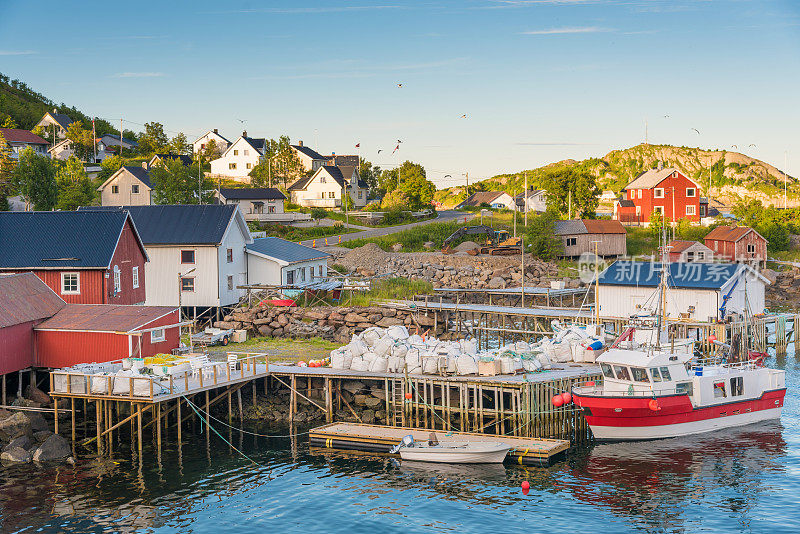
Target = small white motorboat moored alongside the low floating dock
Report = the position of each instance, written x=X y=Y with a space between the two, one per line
x=454 y=452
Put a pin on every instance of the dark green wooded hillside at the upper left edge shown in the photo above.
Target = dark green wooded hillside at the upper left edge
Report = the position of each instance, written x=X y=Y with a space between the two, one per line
x=25 y=107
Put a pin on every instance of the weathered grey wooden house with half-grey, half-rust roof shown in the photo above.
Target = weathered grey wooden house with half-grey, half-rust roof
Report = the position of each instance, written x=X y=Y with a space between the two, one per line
x=581 y=236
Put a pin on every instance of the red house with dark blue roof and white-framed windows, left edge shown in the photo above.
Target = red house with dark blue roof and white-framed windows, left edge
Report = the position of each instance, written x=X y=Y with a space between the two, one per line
x=86 y=257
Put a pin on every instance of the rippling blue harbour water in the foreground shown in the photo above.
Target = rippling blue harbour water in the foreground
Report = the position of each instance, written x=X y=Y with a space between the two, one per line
x=746 y=480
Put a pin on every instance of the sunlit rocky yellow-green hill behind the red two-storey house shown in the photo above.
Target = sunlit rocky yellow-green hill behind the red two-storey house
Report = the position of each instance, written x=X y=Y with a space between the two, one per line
x=734 y=176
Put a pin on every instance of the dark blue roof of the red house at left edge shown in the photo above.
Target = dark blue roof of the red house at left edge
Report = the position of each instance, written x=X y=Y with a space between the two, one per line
x=59 y=239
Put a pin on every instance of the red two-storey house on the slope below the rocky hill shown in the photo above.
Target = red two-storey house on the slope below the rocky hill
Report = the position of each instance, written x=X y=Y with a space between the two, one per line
x=666 y=191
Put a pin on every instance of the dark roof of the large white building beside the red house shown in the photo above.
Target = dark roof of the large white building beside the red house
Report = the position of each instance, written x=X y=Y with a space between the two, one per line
x=188 y=224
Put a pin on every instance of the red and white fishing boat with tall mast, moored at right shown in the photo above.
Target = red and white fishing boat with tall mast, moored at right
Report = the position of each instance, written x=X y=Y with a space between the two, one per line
x=655 y=390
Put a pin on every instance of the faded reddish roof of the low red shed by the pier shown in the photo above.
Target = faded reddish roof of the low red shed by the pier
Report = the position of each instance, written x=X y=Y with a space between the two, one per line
x=104 y=317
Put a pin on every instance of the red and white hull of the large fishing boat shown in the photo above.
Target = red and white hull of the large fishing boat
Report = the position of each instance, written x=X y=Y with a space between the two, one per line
x=632 y=419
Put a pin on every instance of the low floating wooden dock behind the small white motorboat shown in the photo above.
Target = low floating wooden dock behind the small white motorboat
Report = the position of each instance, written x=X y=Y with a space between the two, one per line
x=380 y=439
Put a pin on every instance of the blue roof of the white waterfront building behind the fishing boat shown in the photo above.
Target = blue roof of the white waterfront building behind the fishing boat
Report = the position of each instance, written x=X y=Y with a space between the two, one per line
x=682 y=275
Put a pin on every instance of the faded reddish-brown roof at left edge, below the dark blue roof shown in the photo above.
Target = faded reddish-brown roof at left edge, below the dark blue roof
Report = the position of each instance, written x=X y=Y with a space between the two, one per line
x=24 y=297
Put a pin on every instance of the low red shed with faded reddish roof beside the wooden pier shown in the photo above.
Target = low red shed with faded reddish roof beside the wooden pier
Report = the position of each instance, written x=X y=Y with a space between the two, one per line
x=85 y=333
